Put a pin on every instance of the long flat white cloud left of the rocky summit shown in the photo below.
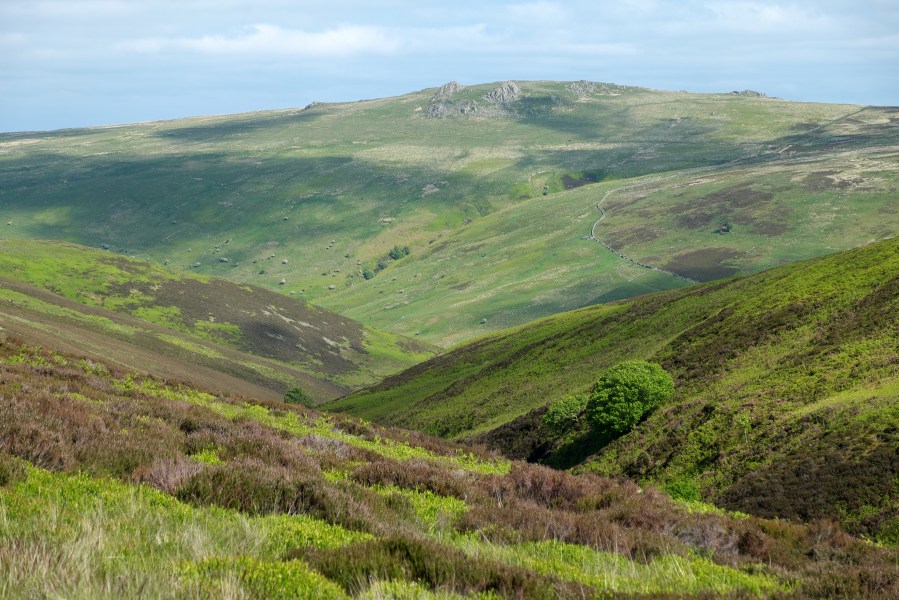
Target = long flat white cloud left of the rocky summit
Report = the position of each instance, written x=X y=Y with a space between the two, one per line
x=264 y=39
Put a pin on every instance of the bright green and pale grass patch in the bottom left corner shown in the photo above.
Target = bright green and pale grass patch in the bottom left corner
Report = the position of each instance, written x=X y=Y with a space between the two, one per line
x=72 y=535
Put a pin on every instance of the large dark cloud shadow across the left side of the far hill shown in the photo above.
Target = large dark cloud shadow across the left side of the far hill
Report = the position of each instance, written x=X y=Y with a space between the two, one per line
x=140 y=202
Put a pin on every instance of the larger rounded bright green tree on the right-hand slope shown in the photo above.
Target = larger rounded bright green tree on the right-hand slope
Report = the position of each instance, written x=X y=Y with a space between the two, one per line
x=627 y=392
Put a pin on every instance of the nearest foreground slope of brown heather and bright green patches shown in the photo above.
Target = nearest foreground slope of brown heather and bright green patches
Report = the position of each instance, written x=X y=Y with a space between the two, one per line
x=114 y=484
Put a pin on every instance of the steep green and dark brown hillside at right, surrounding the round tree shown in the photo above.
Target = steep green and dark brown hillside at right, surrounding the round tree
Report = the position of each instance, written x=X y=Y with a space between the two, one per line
x=787 y=388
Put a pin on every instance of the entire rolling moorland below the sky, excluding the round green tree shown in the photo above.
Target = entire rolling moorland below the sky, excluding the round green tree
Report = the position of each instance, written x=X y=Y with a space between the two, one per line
x=351 y=350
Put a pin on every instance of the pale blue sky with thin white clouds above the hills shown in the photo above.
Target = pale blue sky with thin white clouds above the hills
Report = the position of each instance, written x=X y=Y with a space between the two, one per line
x=73 y=63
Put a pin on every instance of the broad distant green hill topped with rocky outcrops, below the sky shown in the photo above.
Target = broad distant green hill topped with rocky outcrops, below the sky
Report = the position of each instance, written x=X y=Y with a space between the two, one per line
x=494 y=194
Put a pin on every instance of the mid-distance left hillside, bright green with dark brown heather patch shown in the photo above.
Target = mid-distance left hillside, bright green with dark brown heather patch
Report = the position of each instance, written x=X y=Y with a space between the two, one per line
x=180 y=322
